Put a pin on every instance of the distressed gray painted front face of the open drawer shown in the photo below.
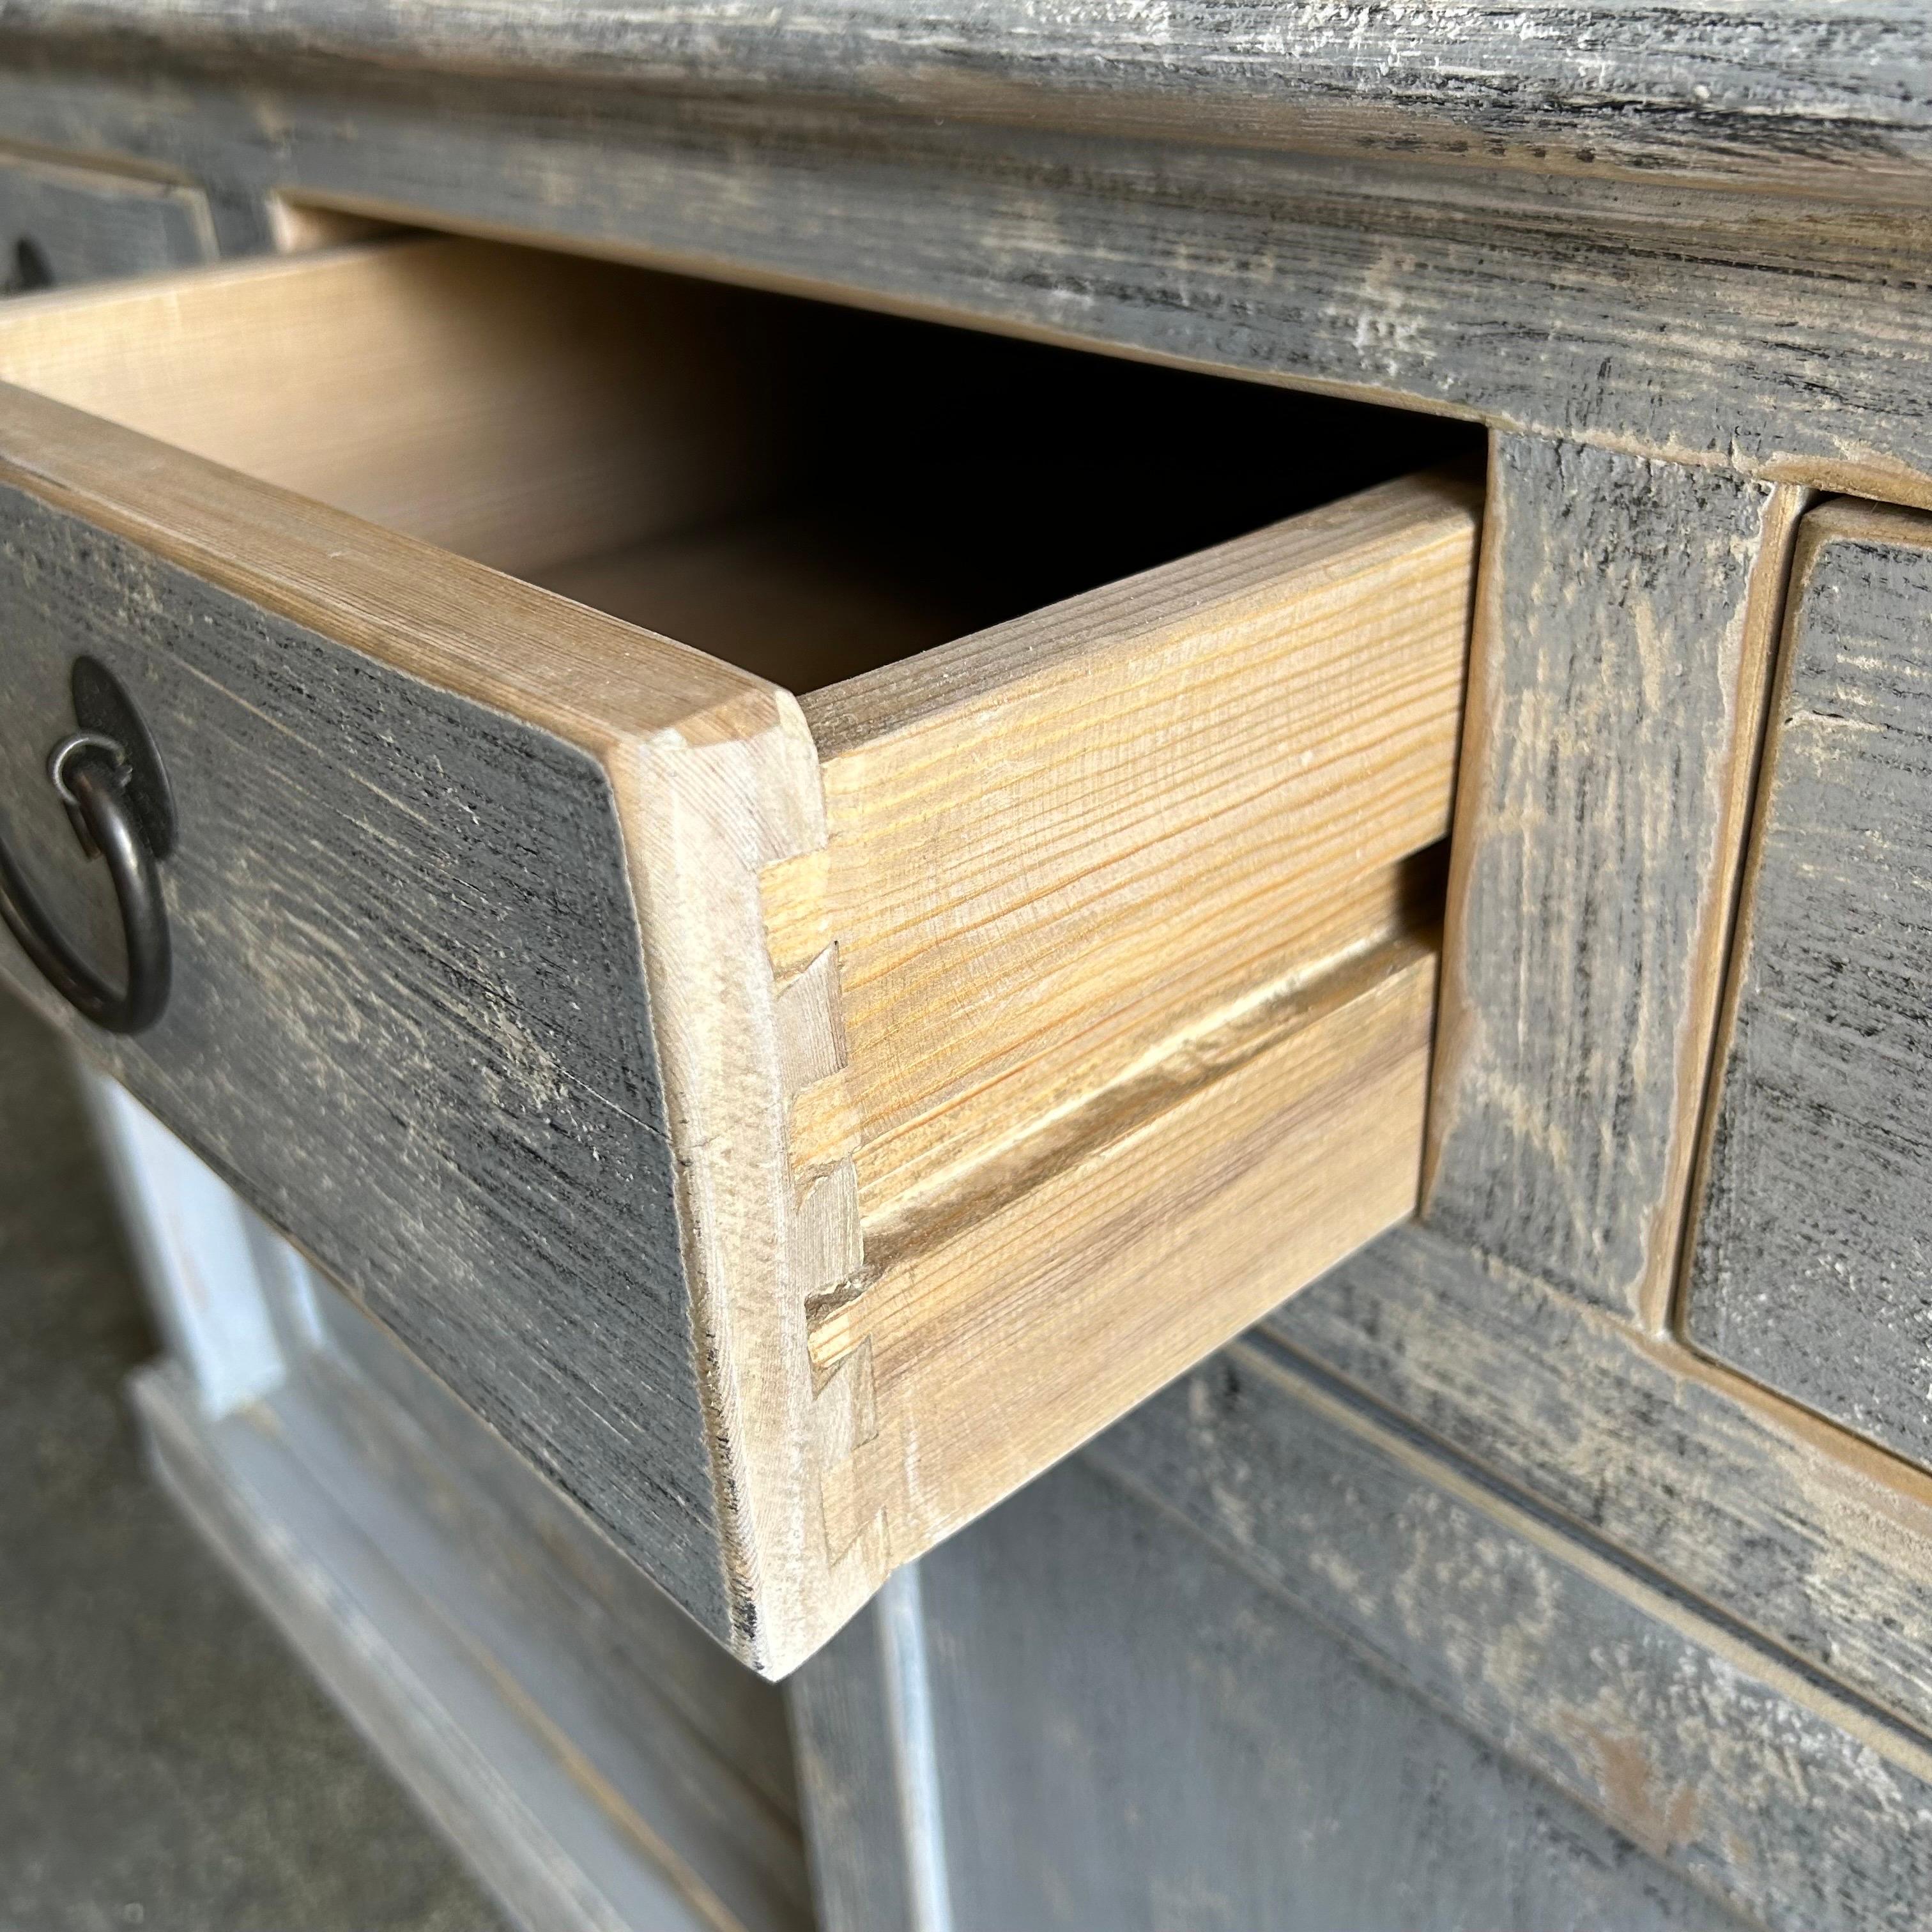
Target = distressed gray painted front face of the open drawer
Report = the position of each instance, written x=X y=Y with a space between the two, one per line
x=409 y=1017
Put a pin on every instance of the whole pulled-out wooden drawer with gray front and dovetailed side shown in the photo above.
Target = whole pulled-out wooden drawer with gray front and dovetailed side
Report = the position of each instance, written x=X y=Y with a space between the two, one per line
x=789 y=1122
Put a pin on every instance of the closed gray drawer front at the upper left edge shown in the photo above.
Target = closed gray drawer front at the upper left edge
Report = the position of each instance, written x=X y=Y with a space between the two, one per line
x=63 y=225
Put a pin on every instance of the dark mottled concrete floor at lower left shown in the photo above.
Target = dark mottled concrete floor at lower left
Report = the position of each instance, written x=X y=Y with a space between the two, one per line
x=163 y=1759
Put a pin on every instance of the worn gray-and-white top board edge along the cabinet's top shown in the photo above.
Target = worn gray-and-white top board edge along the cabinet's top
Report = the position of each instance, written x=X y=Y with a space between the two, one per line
x=1836 y=98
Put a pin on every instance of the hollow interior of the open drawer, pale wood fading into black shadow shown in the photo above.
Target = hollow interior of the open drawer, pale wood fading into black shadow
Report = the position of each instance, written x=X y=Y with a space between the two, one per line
x=803 y=490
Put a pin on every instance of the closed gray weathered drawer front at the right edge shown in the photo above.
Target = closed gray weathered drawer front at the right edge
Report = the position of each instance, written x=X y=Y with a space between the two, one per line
x=1813 y=1255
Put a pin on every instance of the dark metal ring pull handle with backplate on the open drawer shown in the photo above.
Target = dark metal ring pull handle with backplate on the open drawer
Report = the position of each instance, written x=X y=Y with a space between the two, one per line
x=109 y=789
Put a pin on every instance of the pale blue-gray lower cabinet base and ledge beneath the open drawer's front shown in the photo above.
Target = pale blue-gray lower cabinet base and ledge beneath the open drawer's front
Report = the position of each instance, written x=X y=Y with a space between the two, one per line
x=380 y=1489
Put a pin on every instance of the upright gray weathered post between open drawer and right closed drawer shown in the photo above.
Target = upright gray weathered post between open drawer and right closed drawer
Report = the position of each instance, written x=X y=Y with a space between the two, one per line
x=1616 y=683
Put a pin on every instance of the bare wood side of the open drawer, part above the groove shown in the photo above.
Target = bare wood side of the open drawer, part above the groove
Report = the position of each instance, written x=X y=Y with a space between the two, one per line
x=1058 y=841
